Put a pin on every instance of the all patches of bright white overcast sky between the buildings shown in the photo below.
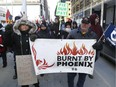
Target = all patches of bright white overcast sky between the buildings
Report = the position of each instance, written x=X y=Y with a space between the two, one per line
x=32 y=14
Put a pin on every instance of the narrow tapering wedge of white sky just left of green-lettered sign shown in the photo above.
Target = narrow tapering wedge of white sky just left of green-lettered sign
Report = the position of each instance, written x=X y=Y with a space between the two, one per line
x=52 y=5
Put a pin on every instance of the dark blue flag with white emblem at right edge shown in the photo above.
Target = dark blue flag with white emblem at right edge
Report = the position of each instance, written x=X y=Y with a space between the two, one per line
x=110 y=34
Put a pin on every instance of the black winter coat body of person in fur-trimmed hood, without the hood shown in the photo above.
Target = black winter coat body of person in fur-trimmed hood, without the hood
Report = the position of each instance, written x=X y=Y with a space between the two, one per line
x=21 y=43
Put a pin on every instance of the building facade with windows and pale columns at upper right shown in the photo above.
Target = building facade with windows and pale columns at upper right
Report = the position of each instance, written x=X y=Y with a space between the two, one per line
x=106 y=9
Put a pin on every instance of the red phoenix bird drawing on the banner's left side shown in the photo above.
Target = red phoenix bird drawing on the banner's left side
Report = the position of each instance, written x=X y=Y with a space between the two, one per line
x=41 y=64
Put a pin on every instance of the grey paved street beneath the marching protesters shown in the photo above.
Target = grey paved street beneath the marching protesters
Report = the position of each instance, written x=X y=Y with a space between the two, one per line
x=104 y=76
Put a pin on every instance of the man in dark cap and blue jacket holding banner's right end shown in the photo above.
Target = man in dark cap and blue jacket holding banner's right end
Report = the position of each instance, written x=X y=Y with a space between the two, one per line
x=82 y=33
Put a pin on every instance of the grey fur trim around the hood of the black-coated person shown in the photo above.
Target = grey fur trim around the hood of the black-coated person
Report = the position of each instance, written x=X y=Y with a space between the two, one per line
x=24 y=22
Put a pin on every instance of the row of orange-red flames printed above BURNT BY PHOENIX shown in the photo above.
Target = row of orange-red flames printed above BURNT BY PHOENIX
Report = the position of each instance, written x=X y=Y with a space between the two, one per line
x=66 y=50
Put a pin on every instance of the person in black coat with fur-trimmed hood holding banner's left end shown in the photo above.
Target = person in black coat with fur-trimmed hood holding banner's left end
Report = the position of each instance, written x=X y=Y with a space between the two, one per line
x=20 y=40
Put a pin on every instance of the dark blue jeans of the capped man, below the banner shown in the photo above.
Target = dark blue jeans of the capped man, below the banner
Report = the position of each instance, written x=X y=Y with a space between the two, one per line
x=80 y=82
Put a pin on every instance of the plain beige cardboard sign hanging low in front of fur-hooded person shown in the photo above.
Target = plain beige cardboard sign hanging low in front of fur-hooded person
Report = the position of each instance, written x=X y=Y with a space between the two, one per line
x=25 y=70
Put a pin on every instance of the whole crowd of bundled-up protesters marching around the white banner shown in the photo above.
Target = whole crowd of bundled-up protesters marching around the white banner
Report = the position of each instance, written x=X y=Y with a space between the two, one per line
x=16 y=36
